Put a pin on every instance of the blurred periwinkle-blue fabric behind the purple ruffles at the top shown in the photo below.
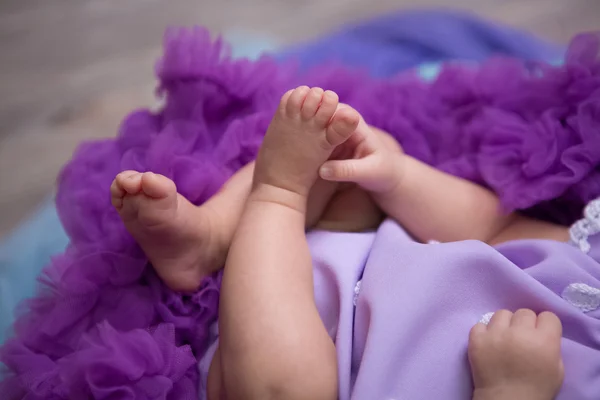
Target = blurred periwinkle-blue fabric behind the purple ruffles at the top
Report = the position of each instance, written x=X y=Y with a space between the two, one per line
x=404 y=40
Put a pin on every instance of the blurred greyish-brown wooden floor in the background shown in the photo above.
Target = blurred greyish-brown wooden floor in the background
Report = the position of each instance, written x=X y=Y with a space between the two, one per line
x=71 y=69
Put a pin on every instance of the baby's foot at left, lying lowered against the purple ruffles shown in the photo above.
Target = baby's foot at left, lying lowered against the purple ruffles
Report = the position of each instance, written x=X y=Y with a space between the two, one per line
x=178 y=238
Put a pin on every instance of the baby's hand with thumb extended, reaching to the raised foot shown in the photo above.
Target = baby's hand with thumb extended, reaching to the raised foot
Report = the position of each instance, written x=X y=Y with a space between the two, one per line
x=370 y=158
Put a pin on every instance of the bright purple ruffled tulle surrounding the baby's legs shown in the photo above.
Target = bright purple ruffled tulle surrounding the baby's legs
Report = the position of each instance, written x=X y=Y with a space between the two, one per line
x=104 y=326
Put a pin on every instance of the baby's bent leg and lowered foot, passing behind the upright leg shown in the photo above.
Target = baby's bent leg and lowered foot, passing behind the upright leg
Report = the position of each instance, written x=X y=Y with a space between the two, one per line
x=184 y=242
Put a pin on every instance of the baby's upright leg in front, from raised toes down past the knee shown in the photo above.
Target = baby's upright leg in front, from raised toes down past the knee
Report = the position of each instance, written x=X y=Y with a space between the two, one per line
x=272 y=341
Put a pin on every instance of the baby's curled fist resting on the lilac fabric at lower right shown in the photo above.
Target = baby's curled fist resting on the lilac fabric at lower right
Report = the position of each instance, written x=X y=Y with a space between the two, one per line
x=517 y=356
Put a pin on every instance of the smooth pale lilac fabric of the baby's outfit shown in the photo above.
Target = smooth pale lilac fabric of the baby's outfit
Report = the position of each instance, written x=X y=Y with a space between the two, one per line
x=407 y=336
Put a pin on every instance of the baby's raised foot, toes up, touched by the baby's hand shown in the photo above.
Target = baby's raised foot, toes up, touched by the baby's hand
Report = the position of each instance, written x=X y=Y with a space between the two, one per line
x=308 y=125
